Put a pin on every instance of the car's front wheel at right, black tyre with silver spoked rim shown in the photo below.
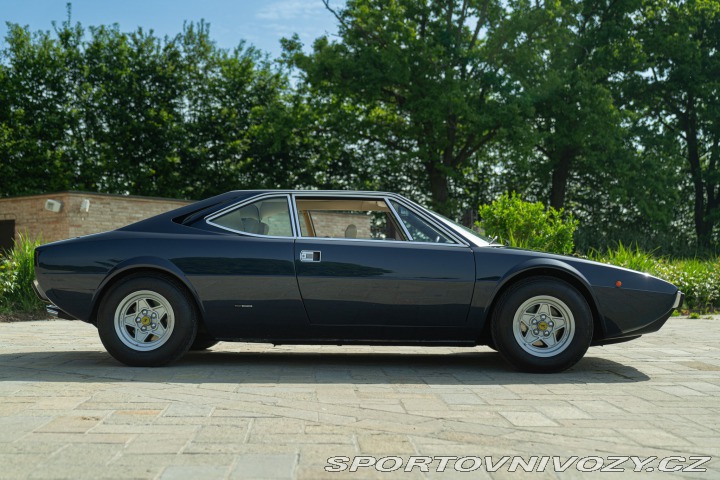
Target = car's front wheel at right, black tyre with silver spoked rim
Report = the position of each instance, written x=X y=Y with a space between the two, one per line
x=527 y=325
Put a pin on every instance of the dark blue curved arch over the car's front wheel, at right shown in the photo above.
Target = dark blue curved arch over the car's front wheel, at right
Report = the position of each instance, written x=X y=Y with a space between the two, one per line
x=538 y=268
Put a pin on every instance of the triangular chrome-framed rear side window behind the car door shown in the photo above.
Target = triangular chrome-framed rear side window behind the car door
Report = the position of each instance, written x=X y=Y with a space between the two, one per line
x=265 y=217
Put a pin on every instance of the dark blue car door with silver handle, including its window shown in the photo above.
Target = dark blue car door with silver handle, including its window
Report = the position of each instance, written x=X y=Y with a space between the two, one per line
x=356 y=265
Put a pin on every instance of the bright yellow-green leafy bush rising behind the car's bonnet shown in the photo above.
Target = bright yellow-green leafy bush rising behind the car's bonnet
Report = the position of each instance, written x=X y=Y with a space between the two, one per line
x=528 y=225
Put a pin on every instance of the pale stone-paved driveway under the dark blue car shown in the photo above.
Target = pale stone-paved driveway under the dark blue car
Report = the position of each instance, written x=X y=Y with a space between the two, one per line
x=68 y=410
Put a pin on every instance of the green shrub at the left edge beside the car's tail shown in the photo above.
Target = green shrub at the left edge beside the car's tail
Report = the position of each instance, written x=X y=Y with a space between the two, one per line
x=16 y=276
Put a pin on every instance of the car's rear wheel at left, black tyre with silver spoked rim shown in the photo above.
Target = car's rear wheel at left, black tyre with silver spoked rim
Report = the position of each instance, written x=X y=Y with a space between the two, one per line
x=160 y=307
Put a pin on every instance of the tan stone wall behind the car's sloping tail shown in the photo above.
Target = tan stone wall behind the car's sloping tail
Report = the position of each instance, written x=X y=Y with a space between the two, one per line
x=106 y=212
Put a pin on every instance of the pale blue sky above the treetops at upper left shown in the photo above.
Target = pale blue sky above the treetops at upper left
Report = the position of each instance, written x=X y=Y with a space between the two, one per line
x=258 y=22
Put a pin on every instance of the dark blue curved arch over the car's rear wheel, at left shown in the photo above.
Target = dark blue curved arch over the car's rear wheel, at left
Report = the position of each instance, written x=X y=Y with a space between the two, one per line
x=148 y=265
